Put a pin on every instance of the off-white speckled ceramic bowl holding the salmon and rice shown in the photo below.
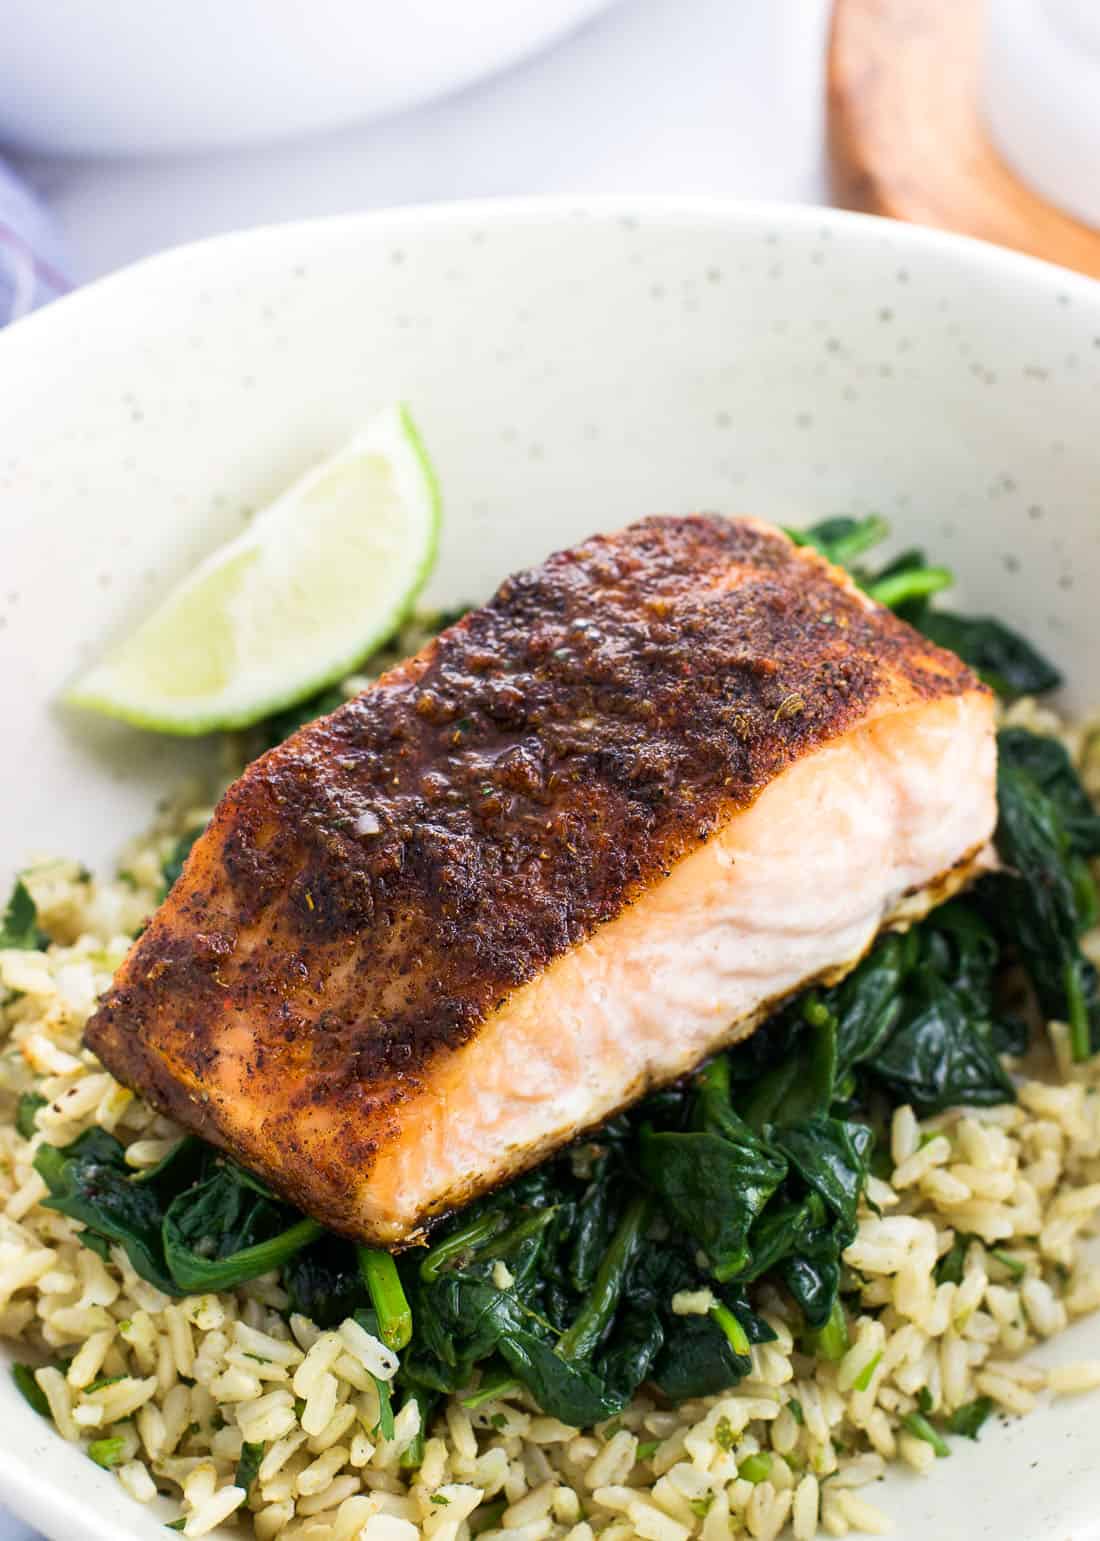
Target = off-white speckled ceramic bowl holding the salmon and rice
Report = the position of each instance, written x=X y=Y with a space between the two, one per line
x=572 y=368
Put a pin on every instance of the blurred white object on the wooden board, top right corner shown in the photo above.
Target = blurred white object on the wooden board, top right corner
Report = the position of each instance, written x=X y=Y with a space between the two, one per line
x=1042 y=98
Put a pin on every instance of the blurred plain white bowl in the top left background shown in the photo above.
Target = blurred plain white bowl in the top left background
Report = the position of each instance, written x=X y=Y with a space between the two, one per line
x=126 y=76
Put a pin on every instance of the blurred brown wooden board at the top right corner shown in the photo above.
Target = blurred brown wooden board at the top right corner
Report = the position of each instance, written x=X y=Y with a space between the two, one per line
x=907 y=138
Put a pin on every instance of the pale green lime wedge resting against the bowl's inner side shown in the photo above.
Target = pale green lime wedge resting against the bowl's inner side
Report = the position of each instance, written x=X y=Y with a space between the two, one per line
x=318 y=582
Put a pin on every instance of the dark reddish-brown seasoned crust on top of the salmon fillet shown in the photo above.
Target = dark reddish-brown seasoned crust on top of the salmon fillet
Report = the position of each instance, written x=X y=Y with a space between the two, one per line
x=372 y=891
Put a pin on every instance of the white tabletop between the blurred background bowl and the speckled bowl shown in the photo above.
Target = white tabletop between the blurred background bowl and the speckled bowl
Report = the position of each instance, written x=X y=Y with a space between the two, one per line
x=654 y=96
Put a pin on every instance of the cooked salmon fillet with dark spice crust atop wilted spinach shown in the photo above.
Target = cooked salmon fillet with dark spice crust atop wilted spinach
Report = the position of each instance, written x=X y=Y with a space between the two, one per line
x=585 y=839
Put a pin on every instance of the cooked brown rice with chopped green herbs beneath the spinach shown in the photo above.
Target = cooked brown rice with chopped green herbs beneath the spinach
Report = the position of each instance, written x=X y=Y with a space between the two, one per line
x=791 y=1451
